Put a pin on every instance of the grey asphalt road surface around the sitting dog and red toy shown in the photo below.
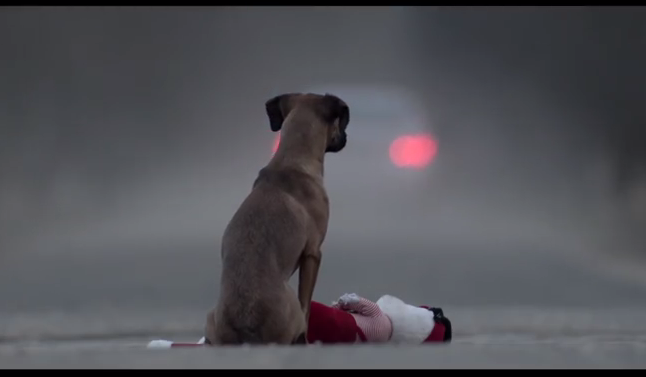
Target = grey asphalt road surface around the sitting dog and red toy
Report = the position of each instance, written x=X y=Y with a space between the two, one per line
x=512 y=303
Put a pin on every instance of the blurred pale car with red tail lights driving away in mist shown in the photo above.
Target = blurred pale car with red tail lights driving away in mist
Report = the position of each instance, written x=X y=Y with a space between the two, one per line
x=390 y=151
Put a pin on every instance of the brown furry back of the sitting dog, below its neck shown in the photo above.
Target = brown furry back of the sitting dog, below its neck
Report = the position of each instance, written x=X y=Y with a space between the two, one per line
x=255 y=296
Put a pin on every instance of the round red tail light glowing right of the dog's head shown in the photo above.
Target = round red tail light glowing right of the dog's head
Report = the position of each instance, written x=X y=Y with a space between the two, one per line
x=413 y=151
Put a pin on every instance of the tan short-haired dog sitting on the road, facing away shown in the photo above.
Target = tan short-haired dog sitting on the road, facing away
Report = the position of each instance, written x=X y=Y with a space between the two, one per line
x=279 y=228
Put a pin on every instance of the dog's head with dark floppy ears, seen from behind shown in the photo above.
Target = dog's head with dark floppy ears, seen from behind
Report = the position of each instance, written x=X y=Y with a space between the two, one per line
x=334 y=112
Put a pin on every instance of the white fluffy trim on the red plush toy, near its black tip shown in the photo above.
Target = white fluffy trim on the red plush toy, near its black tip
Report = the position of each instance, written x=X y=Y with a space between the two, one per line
x=411 y=324
